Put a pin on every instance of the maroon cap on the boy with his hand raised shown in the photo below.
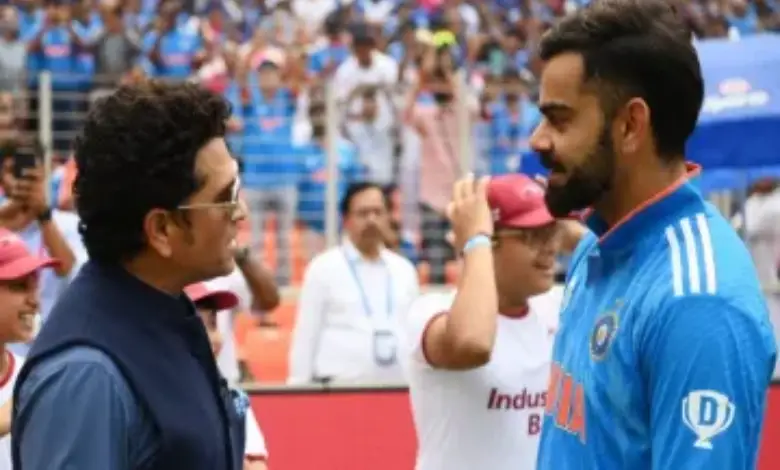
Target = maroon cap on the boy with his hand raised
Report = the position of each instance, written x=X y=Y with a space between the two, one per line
x=517 y=201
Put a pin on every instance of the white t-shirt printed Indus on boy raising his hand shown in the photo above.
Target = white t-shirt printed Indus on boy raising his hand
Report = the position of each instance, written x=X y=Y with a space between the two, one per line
x=489 y=417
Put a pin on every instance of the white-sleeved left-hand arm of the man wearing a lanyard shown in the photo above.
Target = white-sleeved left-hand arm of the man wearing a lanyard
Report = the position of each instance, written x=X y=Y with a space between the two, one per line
x=308 y=324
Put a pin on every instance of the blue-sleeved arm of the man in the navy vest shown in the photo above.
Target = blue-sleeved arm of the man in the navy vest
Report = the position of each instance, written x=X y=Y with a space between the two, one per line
x=74 y=411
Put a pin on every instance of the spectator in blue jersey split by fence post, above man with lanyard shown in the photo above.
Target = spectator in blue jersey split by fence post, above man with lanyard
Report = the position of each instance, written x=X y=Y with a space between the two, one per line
x=312 y=188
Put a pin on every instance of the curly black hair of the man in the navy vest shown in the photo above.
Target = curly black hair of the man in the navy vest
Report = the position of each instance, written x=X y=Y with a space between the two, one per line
x=137 y=152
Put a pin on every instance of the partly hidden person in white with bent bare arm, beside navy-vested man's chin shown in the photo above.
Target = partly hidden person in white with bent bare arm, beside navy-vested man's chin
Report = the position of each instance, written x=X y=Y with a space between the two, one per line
x=257 y=293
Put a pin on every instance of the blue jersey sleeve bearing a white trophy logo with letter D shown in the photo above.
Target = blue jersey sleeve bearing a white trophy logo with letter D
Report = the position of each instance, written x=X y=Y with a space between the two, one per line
x=707 y=365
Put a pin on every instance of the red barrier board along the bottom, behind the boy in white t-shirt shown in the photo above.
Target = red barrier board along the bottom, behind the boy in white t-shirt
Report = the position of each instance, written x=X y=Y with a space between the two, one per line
x=359 y=428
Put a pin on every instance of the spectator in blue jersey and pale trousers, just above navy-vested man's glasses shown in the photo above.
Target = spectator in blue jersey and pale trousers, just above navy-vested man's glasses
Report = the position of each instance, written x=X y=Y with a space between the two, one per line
x=263 y=111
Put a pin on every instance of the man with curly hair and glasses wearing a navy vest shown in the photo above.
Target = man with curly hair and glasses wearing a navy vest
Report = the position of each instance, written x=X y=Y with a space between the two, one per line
x=122 y=376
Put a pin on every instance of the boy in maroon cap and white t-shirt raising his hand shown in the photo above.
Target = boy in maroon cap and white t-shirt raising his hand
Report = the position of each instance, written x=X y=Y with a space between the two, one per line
x=479 y=359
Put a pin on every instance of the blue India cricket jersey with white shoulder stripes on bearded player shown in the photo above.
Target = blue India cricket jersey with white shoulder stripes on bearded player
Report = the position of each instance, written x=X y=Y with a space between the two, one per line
x=665 y=351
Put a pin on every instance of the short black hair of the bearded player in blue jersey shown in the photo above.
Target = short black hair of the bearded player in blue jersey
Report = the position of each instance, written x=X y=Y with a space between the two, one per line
x=636 y=48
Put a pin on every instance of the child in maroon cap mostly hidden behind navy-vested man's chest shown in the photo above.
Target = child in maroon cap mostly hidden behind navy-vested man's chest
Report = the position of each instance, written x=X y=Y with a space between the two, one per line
x=208 y=302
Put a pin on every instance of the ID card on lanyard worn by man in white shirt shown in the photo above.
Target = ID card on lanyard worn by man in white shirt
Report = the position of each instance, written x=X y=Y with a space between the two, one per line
x=384 y=341
